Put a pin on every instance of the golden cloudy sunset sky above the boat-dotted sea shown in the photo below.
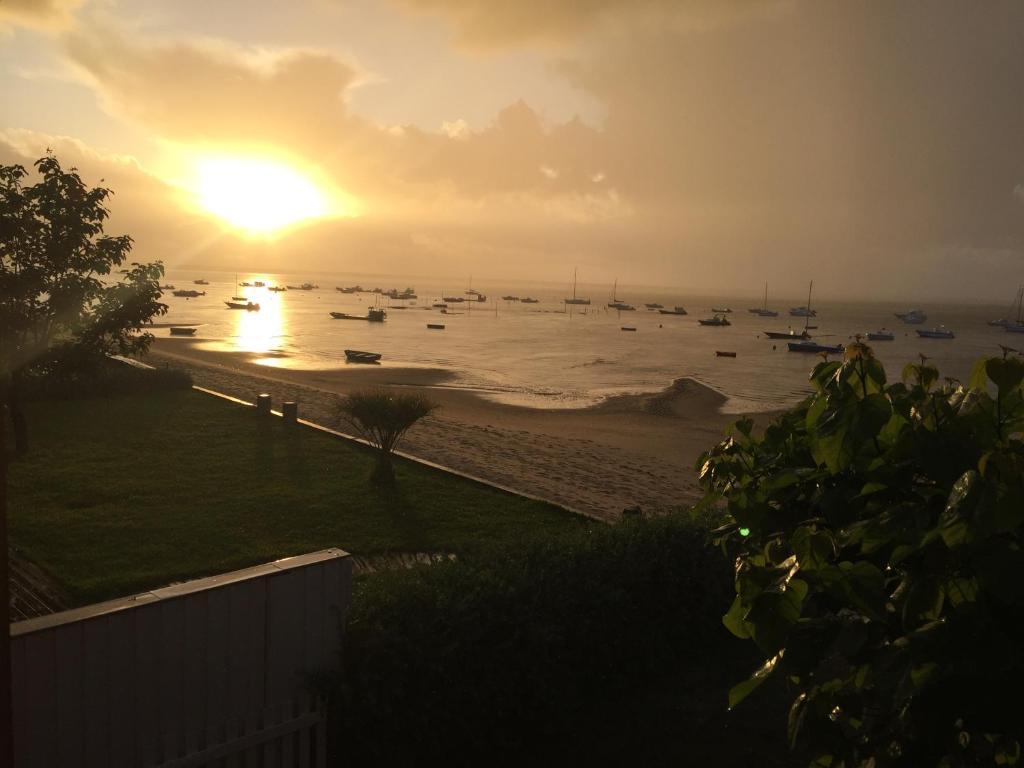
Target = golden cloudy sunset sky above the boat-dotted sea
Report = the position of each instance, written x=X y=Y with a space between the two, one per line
x=877 y=148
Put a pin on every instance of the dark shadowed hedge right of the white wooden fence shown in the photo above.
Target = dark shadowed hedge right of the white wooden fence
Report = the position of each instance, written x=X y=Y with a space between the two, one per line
x=558 y=649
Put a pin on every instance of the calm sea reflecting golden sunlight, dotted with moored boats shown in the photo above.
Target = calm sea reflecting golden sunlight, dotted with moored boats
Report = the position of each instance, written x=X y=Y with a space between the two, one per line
x=543 y=356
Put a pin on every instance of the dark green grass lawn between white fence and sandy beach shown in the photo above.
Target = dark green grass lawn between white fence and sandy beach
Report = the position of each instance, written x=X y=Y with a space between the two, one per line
x=127 y=494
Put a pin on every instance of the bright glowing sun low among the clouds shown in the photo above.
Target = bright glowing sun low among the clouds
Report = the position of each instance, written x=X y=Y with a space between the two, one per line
x=258 y=196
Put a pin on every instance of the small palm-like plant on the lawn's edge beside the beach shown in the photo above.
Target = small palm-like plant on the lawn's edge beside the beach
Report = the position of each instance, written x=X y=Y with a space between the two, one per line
x=382 y=419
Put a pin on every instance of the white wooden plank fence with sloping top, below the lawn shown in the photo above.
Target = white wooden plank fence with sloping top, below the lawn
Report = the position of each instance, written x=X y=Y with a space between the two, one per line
x=210 y=672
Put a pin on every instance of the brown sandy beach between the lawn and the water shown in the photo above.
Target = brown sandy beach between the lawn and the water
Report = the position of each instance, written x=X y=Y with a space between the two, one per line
x=630 y=450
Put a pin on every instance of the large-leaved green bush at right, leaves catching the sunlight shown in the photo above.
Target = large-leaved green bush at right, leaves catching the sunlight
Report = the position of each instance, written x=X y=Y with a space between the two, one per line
x=877 y=532
